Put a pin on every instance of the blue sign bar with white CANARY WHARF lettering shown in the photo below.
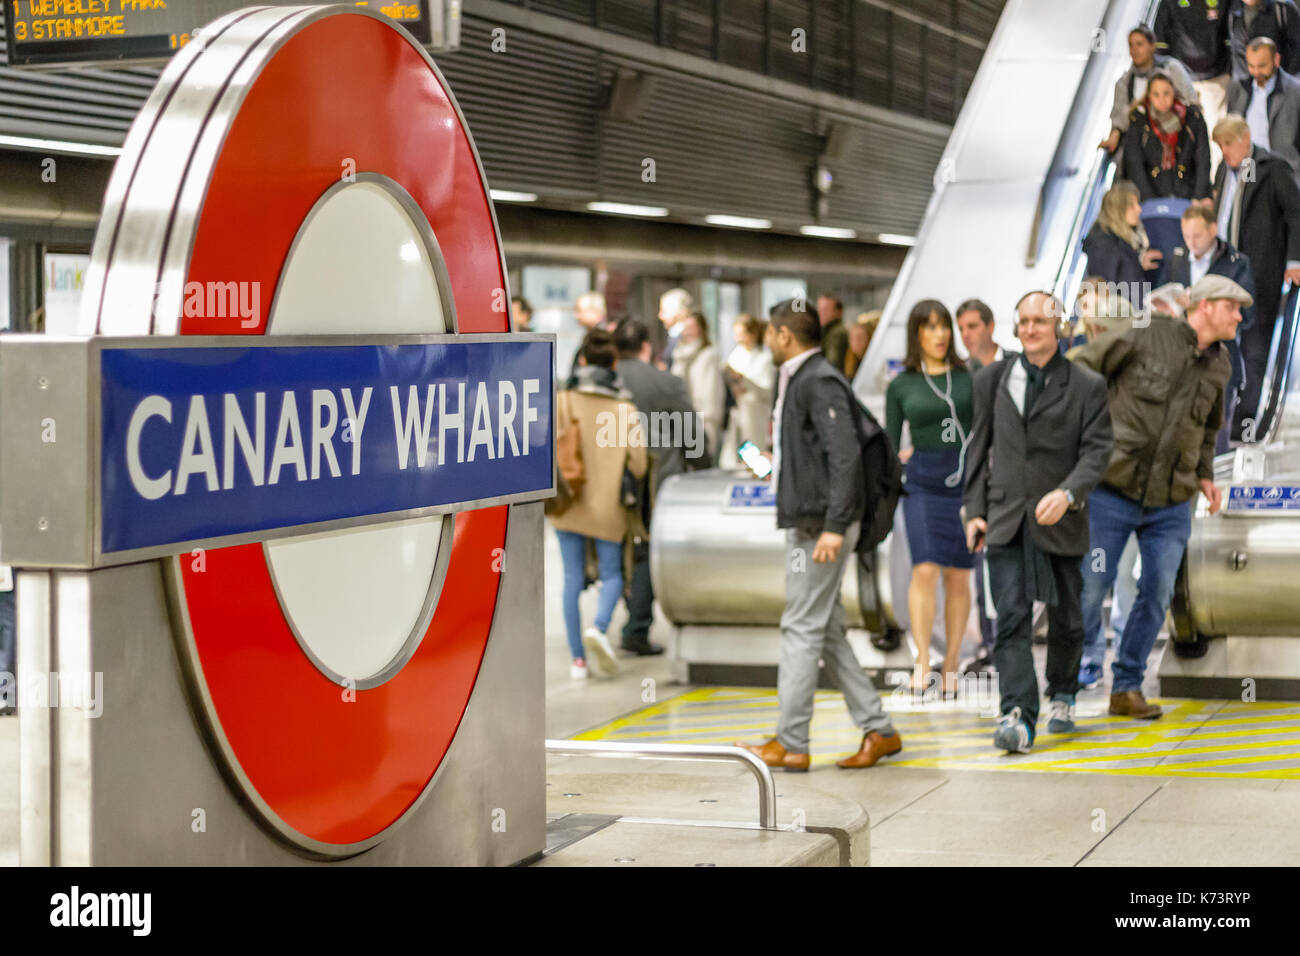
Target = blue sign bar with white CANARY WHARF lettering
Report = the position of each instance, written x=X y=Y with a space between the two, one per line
x=216 y=442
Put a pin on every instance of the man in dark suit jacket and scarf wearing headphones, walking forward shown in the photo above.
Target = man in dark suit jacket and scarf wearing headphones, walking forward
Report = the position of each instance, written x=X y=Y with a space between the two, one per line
x=1041 y=442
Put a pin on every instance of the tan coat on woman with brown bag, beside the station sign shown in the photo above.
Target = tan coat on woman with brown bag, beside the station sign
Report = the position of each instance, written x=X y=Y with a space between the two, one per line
x=612 y=440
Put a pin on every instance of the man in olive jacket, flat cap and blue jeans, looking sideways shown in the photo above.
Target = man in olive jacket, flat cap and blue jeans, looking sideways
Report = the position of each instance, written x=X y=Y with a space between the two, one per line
x=1167 y=379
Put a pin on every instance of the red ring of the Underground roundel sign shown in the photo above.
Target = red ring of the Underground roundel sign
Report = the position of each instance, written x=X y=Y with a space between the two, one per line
x=330 y=775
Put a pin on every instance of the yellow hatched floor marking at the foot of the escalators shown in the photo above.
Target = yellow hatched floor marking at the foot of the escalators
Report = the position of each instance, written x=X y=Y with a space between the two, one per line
x=1193 y=739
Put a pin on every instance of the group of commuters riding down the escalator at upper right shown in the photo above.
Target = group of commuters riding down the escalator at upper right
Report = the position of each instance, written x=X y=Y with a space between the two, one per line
x=1206 y=128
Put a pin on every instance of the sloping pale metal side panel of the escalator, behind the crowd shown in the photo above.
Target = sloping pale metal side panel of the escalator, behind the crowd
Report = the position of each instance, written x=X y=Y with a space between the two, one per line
x=1004 y=222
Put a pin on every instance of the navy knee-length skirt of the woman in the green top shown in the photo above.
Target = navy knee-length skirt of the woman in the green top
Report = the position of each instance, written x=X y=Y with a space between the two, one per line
x=933 y=511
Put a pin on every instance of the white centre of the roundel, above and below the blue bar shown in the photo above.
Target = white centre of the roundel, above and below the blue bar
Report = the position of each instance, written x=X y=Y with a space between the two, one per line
x=361 y=265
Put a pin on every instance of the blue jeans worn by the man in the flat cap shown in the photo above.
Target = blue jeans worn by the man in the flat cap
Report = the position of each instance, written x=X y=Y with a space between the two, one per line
x=1163 y=535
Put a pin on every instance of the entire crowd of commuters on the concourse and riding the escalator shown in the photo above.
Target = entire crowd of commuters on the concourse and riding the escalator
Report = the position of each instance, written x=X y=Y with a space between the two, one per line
x=1048 y=473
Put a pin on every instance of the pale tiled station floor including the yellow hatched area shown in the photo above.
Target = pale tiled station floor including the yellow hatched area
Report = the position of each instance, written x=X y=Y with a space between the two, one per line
x=1211 y=784
